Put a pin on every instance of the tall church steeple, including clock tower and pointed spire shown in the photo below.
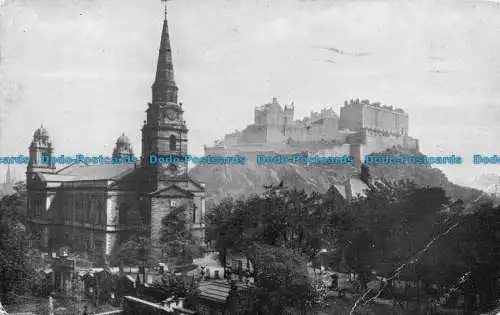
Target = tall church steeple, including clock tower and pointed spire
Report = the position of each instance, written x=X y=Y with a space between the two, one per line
x=164 y=133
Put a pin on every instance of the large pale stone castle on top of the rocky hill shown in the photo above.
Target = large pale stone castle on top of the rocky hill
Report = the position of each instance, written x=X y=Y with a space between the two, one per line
x=362 y=128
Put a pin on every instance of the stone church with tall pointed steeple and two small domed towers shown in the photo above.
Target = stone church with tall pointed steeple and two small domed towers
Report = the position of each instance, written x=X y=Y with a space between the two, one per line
x=92 y=208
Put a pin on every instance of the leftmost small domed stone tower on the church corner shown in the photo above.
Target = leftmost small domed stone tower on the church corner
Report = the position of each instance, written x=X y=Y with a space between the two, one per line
x=40 y=153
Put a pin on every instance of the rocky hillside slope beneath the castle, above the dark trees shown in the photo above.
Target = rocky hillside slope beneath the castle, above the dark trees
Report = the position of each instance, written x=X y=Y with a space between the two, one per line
x=238 y=181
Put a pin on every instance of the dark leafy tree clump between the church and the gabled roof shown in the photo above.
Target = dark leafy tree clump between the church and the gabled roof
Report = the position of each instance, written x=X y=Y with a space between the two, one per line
x=280 y=217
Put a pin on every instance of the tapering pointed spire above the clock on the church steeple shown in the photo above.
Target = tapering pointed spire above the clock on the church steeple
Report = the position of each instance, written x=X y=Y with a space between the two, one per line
x=164 y=88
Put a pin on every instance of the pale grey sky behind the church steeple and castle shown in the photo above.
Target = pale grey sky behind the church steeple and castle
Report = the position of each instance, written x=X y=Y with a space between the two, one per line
x=84 y=68
